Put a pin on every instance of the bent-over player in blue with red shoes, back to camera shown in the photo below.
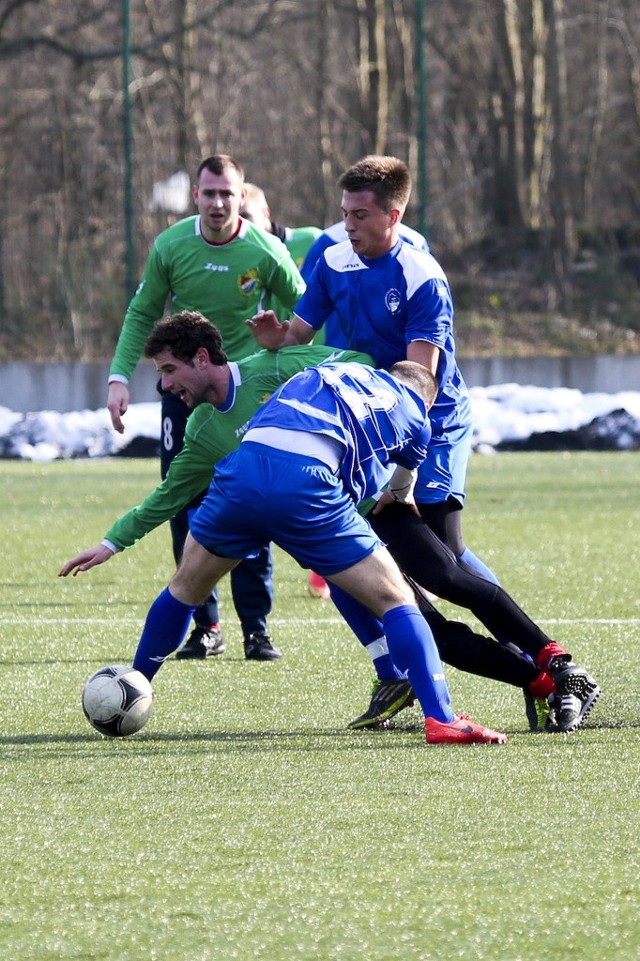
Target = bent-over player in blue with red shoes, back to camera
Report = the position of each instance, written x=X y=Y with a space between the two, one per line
x=327 y=439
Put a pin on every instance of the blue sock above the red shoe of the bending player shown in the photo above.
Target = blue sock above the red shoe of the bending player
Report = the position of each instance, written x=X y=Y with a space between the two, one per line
x=414 y=651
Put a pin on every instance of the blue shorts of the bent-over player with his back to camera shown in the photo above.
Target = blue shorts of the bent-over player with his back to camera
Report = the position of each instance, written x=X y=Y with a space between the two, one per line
x=261 y=494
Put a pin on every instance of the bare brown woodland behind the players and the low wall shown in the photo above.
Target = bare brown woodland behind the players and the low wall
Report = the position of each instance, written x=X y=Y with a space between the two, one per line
x=520 y=120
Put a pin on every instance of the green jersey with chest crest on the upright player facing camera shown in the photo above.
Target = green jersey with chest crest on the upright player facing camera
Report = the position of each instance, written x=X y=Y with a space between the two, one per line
x=228 y=283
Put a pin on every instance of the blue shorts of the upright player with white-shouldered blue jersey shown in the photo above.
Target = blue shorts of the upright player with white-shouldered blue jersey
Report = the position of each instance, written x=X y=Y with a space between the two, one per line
x=443 y=473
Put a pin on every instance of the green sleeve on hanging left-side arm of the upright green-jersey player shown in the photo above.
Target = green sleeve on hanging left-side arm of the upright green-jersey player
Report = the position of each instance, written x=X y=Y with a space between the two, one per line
x=145 y=309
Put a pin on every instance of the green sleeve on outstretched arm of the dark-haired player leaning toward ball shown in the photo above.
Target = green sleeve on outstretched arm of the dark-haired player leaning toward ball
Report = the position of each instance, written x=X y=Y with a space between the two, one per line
x=190 y=473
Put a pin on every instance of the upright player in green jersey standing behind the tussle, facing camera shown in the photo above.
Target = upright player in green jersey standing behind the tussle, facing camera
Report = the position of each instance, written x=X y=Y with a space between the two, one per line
x=223 y=266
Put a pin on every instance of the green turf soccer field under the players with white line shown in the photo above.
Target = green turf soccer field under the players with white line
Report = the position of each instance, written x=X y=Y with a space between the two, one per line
x=245 y=822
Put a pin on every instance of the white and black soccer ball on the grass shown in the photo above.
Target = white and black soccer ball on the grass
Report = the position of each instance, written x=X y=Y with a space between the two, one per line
x=117 y=700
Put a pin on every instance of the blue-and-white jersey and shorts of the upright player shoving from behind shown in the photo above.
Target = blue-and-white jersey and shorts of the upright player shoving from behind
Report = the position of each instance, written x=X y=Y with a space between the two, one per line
x=383 y=305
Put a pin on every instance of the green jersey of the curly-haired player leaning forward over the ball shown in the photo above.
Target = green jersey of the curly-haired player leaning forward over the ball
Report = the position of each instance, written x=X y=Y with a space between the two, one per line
x=212 y=432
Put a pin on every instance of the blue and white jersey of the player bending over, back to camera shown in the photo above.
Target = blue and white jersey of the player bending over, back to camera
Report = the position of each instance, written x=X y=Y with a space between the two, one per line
x=373 y=419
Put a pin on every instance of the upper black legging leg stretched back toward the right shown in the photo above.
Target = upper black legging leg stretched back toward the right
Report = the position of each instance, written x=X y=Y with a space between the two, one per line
x=421 y=554
